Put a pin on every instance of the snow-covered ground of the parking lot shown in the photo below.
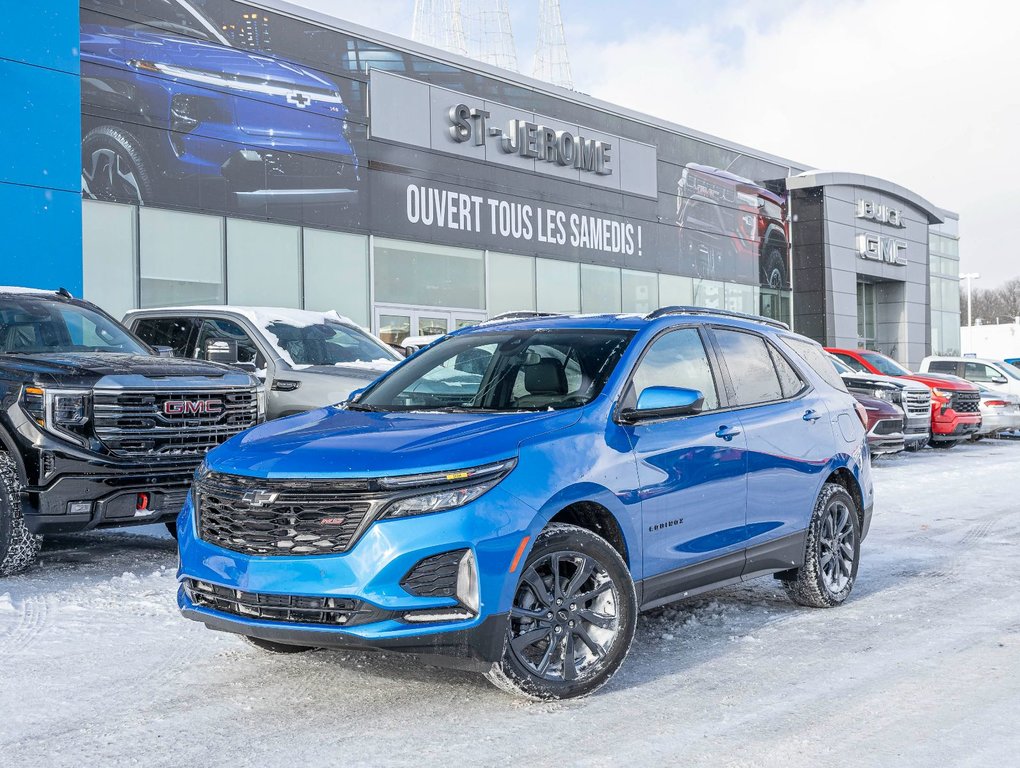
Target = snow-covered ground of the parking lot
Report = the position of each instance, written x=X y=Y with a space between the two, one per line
x=921 y=669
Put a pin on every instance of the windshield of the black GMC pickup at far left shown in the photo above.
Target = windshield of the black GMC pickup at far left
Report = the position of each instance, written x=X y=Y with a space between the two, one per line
x=38 y=326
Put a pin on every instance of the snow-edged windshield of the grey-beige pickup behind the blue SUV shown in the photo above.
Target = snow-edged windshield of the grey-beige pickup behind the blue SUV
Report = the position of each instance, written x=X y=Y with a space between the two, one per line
x=327 y=343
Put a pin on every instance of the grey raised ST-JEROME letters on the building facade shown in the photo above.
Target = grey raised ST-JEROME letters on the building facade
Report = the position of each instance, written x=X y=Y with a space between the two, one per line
x=532 y=140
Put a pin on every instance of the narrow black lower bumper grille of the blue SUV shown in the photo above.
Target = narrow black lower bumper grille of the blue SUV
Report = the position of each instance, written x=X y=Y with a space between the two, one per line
x=290 y=608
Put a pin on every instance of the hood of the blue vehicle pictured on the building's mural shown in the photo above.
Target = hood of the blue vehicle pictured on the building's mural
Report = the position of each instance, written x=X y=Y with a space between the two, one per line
x=119 y=45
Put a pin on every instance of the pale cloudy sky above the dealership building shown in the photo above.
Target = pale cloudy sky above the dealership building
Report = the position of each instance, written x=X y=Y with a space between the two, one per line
x=922 y=92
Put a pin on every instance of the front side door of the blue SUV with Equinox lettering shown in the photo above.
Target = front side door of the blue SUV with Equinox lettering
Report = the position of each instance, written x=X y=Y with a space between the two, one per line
x=692 y=471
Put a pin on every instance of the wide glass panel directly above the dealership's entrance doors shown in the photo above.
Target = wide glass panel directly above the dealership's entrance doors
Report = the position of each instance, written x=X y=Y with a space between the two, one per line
x=429 y=276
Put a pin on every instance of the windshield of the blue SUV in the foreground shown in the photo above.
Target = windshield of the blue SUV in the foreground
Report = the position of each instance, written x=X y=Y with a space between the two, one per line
x=521 y=371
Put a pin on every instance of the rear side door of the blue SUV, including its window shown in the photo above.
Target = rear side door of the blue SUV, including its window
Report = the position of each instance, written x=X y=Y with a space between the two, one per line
x=787 y=427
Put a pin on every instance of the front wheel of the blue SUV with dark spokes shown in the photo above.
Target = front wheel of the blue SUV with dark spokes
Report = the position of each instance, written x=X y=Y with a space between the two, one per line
x=573 y=621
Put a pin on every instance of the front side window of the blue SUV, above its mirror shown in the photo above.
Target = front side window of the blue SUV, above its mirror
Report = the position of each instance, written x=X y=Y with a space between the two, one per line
x=678 y=360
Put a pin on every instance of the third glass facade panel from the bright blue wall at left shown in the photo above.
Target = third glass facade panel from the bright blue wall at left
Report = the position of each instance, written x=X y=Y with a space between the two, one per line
x=264 y=264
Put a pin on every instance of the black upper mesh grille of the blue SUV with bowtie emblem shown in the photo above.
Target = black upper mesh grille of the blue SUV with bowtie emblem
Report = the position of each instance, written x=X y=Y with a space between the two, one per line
x=284 y=518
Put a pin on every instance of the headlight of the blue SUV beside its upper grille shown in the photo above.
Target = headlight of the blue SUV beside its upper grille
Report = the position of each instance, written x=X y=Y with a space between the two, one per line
x=461 y=487
